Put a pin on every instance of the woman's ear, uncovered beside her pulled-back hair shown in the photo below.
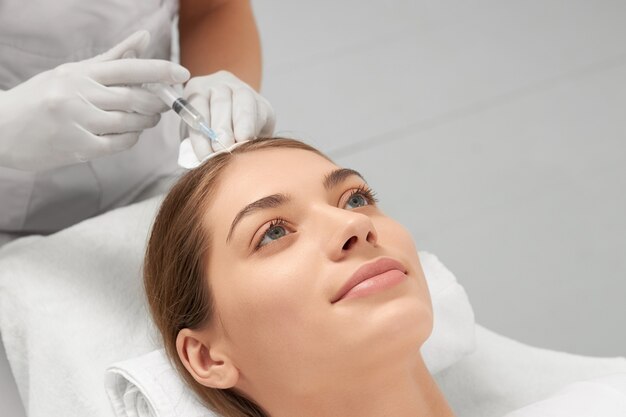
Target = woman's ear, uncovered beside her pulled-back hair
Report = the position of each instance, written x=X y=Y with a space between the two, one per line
x=205 y=361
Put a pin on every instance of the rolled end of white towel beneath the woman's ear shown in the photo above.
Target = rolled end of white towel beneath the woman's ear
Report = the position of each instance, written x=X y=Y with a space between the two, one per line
x=149 y=386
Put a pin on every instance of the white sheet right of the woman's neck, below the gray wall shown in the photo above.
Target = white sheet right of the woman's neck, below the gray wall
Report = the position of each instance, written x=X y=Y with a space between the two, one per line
x=503 y=375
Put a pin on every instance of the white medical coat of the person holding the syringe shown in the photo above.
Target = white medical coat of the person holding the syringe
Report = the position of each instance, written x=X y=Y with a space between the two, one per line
x=38 y=35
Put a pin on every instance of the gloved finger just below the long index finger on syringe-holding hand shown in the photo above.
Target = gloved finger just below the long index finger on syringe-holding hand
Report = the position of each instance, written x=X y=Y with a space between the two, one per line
x=129 y=98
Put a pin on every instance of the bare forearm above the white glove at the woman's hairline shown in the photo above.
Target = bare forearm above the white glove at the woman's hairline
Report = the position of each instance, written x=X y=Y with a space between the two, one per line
x=221 y=37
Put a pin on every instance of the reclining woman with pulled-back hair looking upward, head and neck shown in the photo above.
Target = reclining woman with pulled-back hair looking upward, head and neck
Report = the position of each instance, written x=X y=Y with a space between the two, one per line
x=249 y=274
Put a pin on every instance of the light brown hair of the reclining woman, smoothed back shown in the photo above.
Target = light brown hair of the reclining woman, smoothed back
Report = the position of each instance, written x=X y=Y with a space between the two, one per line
x=175 y=264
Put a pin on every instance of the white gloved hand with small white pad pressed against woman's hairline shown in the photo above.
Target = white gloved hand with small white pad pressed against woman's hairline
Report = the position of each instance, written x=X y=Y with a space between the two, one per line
x=231 y=107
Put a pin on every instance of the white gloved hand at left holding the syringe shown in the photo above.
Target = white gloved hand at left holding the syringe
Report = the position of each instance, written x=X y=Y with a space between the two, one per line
x=82 y=110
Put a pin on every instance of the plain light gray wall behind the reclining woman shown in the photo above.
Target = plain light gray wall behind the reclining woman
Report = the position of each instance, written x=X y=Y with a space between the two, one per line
x=494 y=130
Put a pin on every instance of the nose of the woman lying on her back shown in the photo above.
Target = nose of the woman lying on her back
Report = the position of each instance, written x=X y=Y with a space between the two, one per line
x=352 y=231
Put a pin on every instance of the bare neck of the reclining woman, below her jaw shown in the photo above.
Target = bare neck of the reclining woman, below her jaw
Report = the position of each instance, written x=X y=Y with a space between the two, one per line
x=392 y=392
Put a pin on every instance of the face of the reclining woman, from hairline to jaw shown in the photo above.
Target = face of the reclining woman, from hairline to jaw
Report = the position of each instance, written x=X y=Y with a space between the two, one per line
x=275 y=283
